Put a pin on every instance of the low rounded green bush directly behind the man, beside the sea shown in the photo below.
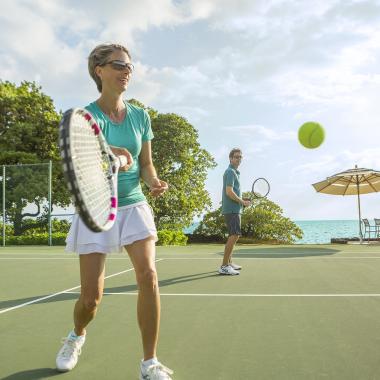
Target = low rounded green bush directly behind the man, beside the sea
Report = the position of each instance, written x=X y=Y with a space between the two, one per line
x=262 y=221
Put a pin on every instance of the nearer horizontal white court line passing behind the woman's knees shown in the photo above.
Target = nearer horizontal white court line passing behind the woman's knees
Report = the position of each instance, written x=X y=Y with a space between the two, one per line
x=247 y=295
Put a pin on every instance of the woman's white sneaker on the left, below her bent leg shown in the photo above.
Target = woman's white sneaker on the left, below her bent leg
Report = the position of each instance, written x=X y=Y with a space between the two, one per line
x=67 y=357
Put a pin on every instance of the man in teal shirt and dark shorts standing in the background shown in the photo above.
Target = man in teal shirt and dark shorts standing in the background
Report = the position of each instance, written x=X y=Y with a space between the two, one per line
x=232 y=205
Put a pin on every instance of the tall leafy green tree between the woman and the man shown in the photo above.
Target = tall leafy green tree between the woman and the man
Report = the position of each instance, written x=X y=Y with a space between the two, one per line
x=183 y=163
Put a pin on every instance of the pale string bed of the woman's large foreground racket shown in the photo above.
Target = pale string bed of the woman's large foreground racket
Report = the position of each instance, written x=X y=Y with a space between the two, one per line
x=93 y=170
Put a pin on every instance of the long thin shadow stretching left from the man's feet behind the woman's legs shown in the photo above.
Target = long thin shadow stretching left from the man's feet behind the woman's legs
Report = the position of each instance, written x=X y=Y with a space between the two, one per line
x=119 y=289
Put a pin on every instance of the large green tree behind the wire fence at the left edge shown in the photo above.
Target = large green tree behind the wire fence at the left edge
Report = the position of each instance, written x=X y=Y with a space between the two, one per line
x=29 y=134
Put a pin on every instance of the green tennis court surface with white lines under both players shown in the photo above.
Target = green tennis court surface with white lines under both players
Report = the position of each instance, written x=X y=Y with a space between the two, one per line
x=295 y=312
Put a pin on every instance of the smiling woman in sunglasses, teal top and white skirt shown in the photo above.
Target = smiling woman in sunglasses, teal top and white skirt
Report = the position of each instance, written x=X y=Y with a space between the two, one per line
x=127 y=129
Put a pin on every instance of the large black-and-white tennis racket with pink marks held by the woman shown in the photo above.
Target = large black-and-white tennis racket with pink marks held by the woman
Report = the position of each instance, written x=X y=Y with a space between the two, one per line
x=90 y=169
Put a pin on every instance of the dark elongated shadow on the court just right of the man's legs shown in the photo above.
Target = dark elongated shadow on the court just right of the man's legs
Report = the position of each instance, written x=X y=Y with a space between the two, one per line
x=282 y=252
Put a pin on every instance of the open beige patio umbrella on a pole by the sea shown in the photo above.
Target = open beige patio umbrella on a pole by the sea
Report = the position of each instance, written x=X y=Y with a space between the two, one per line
x=351 y=182
